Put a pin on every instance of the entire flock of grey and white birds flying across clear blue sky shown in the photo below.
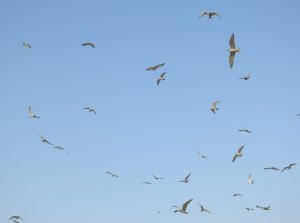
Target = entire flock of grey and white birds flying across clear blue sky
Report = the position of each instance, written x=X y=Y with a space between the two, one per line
x=214 y=108
